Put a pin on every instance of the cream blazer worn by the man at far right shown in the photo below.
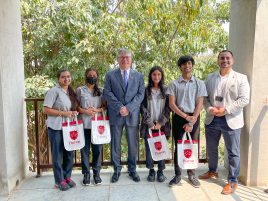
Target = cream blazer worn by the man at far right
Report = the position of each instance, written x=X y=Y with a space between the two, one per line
x=236 y=97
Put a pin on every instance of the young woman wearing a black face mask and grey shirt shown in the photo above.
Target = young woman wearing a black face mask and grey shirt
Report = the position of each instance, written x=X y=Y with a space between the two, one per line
x=91 y=103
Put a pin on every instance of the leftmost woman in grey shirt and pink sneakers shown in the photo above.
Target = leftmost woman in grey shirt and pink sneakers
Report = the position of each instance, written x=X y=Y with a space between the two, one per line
x=60 y=101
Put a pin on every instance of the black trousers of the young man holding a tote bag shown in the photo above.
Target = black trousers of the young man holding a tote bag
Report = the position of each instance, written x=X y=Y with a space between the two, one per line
x=177 y=131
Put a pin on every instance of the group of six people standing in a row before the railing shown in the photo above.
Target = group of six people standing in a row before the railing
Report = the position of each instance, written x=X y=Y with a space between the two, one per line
x=223 y=95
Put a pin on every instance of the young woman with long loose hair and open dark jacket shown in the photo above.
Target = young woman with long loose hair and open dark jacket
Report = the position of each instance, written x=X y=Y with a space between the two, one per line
x=155 y=115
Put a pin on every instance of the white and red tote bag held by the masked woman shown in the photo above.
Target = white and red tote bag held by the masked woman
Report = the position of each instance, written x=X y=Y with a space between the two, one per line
x=100 y=129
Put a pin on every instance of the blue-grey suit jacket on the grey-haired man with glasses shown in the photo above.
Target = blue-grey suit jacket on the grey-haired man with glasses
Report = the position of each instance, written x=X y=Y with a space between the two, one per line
x=116 y=96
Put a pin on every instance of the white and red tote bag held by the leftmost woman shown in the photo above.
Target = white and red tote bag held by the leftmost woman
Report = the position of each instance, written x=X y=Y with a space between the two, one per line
x=73 y=134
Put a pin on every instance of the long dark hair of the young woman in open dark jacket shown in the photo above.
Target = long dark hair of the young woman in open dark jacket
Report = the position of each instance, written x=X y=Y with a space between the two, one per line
x=151 y=83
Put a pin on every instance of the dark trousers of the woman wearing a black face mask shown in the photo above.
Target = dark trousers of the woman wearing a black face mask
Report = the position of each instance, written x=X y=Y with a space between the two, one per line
x=96 y=154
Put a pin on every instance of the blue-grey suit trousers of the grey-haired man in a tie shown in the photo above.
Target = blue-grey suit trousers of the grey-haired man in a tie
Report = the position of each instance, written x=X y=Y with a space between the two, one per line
x=116 y=136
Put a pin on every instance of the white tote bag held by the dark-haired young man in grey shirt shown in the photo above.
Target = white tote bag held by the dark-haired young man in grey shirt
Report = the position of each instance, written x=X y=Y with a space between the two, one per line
x=187 y=152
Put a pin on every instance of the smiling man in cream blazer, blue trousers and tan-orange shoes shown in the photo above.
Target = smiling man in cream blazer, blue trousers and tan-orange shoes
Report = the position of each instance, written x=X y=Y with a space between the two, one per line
x=228 y=93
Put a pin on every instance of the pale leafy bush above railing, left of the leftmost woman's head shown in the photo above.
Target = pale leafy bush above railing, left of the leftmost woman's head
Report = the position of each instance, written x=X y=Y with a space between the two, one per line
x=37 y=85
